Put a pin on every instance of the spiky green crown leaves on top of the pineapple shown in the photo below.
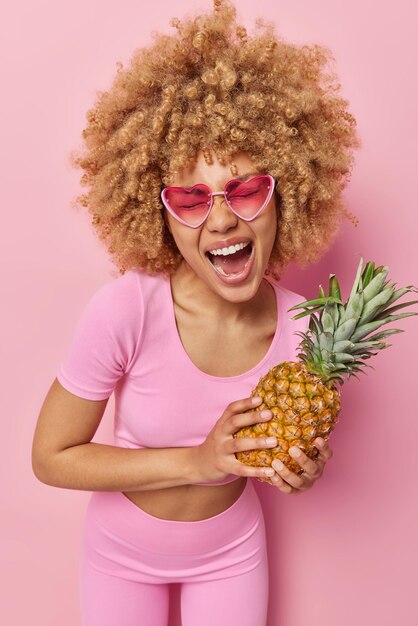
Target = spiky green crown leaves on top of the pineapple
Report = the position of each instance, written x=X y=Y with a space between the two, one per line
x=339 y=334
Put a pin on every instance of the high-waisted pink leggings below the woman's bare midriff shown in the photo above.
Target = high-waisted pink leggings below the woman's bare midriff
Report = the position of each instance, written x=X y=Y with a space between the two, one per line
x=130 y=557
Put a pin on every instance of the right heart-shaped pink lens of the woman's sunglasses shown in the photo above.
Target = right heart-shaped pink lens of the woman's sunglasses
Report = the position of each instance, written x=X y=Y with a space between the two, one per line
x=247 y=198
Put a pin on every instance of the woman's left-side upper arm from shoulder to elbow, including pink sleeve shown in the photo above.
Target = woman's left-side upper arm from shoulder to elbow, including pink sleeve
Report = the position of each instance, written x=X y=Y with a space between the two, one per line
x=102 y=350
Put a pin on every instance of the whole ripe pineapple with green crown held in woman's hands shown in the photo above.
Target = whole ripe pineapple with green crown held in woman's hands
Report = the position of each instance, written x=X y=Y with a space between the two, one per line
x=303 y=396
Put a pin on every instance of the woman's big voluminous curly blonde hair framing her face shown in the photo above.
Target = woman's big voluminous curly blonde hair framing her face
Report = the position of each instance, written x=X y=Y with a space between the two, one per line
x=211 y=87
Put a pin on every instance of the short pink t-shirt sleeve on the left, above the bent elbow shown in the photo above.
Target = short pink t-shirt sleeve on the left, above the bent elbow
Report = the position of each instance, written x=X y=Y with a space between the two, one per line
x=104 y=341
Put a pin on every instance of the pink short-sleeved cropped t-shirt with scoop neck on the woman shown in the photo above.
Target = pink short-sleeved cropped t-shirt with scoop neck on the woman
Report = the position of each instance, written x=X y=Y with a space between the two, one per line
x=126 y=341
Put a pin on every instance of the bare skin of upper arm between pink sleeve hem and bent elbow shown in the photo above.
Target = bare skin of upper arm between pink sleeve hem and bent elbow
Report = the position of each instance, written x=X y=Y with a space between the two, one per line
x=65 y=420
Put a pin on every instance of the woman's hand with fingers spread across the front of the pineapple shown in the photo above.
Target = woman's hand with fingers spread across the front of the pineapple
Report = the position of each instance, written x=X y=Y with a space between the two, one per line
x=215 y=457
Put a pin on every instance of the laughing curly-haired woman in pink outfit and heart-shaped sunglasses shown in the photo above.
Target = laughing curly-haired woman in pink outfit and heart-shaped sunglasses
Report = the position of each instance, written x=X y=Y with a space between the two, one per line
x=212 y=161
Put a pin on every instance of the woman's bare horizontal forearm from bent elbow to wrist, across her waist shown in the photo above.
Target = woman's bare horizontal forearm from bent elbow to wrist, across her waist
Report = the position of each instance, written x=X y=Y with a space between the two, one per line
x=100 y=467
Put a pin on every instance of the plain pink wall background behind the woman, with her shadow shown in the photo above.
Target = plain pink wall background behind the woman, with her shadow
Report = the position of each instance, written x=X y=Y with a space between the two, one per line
x=343 y=553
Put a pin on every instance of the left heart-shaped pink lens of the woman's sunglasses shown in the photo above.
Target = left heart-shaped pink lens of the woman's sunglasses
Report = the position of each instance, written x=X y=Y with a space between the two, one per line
x=190 y=205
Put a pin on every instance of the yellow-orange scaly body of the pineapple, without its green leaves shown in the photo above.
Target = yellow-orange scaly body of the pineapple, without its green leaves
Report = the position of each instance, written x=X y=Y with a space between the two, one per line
x=303 y=408
